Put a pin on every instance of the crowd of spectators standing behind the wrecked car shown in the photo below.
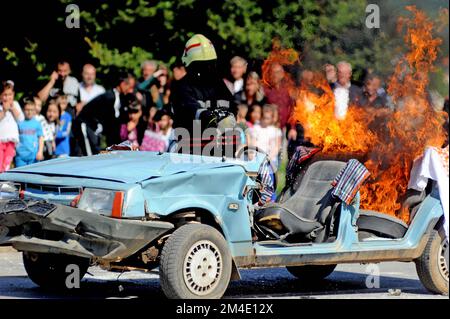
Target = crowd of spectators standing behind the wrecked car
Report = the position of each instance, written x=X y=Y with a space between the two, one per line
x=62 y=118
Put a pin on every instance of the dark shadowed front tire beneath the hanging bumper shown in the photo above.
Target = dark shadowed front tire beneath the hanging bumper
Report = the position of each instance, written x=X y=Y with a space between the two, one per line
x=49 y=270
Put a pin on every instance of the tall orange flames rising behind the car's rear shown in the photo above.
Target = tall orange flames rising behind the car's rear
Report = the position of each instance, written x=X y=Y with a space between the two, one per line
x=388 y=140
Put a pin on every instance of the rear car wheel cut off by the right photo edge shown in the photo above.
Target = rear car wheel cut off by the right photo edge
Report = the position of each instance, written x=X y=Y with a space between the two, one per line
x=432 y=266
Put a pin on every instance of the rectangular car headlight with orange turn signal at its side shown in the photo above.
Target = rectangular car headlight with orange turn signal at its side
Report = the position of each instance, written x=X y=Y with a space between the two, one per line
x=102 y=201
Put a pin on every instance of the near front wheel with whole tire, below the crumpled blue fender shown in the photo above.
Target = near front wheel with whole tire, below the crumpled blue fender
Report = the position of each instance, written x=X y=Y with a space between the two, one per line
x=195 y=263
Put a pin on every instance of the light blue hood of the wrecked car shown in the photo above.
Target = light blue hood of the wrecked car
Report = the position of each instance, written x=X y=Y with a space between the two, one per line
x=130 y=167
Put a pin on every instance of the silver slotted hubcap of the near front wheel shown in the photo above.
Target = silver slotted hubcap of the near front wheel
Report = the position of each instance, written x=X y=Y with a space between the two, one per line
x=202 y=267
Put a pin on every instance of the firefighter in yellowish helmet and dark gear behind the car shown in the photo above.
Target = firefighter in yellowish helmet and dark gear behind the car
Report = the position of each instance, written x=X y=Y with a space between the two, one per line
x=201 y=99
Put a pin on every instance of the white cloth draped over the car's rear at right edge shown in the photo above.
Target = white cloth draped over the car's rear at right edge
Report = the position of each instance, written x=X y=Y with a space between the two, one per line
x=433 y=164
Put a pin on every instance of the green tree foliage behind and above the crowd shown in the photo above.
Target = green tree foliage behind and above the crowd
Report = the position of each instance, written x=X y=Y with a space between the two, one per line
x=123 y=33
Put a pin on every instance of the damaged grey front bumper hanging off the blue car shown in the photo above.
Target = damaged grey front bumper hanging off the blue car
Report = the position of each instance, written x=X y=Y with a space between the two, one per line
x=44 y=227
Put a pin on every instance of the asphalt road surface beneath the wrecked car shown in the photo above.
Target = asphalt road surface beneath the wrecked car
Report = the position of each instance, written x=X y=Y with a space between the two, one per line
x=396 y=281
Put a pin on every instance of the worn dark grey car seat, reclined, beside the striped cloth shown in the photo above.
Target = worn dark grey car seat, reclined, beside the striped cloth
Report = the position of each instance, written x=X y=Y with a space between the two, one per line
x=305 y=214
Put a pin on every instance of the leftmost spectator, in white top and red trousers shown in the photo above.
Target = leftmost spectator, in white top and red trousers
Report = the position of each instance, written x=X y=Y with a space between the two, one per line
x=10 y=115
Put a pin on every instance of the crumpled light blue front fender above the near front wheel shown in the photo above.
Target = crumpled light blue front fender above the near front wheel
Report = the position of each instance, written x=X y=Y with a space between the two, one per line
x=215 y=190
